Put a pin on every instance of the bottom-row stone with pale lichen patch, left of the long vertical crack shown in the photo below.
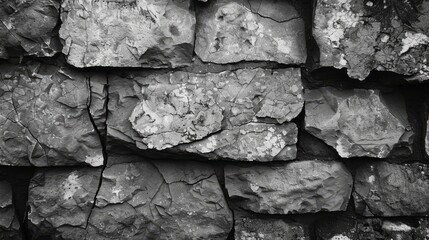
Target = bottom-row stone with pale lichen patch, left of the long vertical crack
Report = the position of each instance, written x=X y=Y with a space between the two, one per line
x=60 y=201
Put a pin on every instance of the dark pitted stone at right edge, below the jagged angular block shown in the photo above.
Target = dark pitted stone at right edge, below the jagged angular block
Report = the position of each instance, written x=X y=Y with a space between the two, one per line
x=384 y=189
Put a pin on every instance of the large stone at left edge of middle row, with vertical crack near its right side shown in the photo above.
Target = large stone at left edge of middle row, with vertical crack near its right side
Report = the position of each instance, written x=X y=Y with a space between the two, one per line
x=46 y=113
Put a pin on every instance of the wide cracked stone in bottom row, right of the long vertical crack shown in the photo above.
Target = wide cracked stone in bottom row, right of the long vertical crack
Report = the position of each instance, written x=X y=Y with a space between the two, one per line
x=159 y=200
